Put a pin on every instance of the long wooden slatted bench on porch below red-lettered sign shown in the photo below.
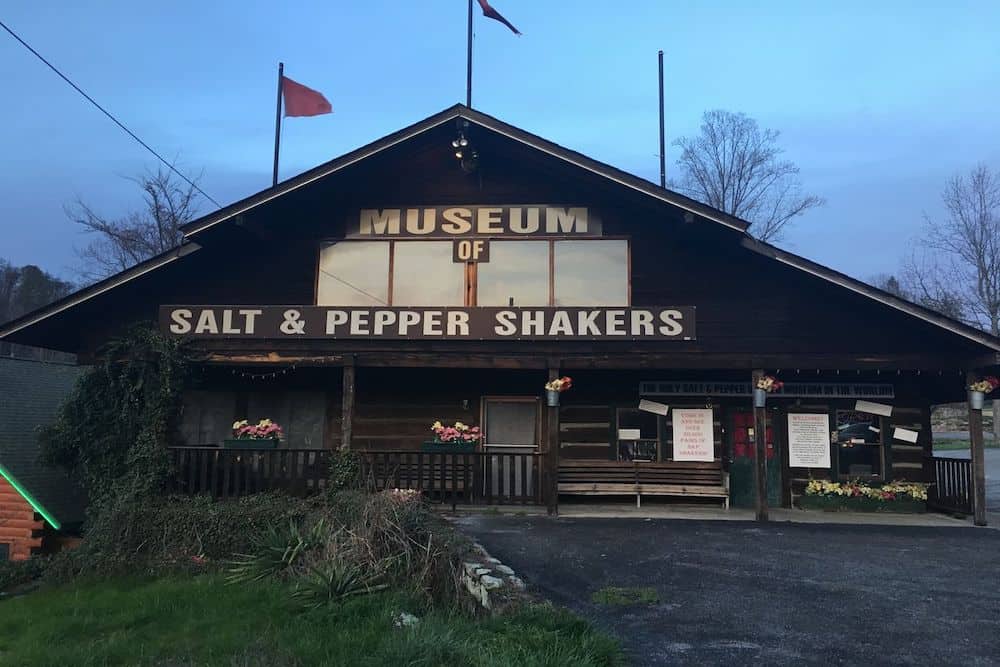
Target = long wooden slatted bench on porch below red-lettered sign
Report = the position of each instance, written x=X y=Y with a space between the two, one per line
x=617 y=478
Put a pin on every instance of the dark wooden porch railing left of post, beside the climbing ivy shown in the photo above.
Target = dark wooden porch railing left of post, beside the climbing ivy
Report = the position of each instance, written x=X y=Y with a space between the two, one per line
x=229 y=473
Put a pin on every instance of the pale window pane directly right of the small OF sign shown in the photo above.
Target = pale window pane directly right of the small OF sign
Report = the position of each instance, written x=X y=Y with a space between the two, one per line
x=517 y=270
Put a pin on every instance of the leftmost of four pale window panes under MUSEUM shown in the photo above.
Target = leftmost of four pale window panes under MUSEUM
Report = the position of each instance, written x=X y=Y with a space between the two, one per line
x=354 y=274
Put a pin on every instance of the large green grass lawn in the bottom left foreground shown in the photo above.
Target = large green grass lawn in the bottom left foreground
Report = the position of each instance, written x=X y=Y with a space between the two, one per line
x=202 y=621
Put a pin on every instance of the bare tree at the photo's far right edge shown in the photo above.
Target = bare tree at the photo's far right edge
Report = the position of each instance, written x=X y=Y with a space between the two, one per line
x=958 y=259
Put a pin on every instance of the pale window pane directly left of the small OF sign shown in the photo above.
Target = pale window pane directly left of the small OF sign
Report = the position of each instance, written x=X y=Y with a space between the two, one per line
x=425 y=275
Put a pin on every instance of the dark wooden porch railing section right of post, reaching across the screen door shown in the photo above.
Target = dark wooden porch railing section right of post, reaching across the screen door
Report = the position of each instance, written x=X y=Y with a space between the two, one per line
x=477 y=478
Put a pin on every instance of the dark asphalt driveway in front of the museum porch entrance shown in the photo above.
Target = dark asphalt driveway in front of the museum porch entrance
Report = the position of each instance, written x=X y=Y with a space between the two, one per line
x=737 y=592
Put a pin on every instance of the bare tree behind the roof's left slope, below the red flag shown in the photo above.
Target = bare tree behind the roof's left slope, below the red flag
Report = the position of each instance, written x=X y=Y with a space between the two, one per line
x=120 y=243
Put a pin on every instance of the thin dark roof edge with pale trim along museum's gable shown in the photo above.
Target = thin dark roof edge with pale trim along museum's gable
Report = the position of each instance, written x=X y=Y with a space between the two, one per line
x=571 y=157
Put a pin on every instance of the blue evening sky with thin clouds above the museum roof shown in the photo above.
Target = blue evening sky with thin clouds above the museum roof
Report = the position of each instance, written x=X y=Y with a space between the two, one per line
x=878 y=102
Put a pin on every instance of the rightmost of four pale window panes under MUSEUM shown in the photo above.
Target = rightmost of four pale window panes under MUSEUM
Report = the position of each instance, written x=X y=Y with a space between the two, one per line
x=591 y=273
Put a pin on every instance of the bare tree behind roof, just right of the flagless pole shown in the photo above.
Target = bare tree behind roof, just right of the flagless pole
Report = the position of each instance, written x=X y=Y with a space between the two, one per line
x=735 y=166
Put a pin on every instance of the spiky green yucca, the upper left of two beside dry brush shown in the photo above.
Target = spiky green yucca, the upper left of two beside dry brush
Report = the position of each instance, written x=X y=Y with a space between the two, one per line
x=277 y=552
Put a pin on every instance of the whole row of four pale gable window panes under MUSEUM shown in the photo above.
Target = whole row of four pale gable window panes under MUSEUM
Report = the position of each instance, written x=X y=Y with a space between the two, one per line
x=544 y=272
